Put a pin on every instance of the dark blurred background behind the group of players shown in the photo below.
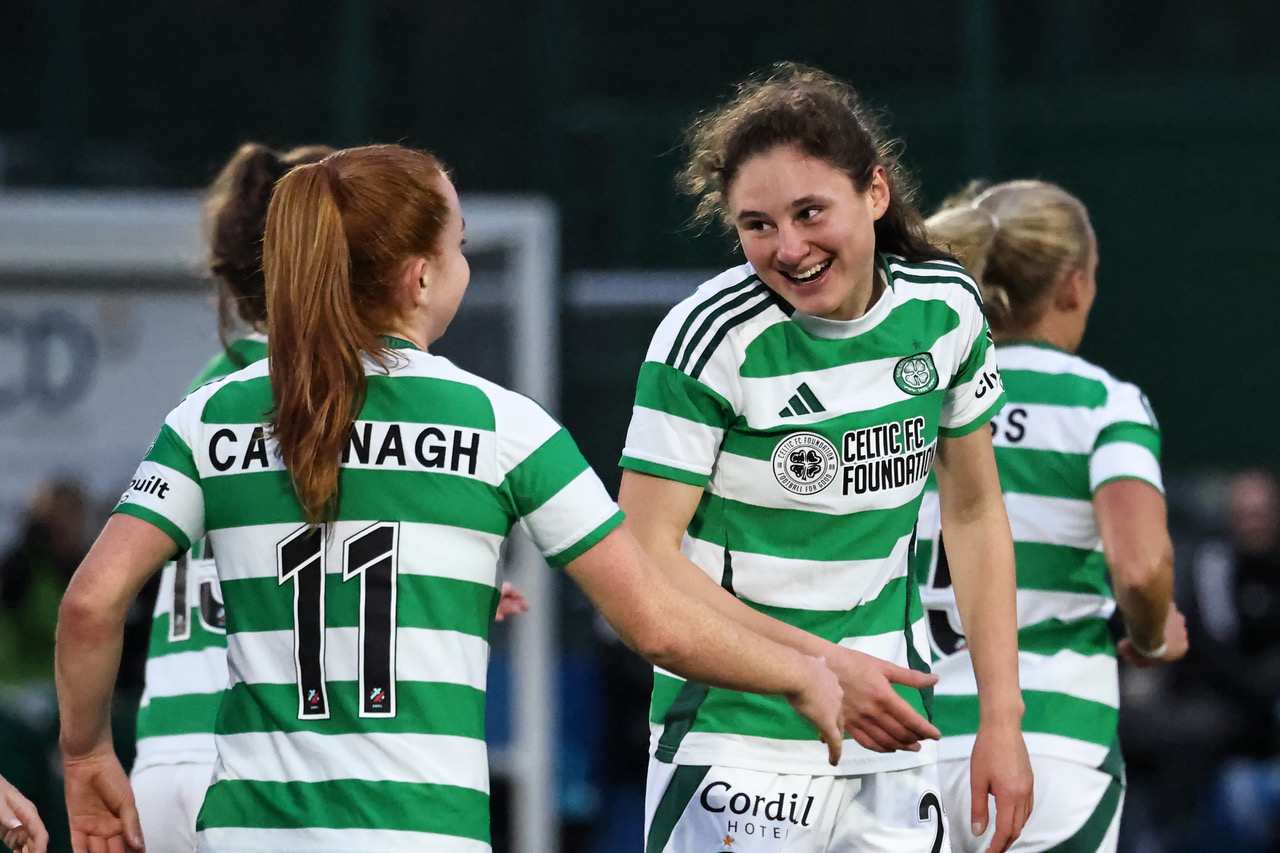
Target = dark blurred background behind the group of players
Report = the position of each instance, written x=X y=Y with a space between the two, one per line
x=1163 y=118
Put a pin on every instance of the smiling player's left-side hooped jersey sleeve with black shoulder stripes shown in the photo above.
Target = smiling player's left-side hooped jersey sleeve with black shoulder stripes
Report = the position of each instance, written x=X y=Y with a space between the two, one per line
x=679 y=422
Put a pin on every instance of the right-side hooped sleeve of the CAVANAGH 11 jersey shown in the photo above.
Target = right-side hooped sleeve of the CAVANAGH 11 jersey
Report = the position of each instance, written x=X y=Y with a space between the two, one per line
x=556 y=496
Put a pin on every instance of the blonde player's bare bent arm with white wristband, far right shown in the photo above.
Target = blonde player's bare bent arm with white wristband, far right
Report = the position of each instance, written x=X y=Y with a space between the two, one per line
x=1133 y=522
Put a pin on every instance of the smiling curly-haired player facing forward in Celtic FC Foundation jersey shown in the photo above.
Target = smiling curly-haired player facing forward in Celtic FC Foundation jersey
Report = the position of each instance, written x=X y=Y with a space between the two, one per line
x=787 y=418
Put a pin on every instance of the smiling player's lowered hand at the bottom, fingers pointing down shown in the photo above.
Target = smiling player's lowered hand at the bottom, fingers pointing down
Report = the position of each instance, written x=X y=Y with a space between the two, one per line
x=1002 y=768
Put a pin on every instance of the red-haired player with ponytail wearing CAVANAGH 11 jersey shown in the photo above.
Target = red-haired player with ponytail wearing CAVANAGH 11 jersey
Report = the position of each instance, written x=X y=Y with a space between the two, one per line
x=356 y=492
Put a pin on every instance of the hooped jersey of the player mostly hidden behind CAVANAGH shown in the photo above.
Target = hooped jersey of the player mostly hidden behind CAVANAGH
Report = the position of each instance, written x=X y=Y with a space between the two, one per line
x=188 y=654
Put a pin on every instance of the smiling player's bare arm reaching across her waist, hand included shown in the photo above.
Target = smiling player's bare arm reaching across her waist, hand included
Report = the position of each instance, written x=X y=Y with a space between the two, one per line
x=876 y=717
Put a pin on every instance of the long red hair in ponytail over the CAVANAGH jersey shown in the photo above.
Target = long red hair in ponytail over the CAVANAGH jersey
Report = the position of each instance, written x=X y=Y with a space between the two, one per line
x=337 y=235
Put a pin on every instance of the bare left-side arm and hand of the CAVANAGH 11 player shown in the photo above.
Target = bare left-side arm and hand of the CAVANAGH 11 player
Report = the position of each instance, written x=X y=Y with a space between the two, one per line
x=90 y=636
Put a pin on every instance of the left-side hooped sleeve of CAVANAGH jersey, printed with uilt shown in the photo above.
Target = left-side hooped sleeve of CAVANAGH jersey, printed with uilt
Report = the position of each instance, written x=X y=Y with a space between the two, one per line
x=166 y=490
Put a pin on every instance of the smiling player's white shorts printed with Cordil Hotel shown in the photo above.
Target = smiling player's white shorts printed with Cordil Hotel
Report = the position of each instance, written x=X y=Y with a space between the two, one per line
x=706 y=810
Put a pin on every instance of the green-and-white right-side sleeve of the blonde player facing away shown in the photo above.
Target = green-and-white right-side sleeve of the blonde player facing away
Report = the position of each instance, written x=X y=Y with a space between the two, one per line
x=1128 y=443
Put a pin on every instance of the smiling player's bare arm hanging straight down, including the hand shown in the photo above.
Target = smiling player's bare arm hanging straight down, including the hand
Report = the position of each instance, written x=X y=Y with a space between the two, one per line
x=981 y=553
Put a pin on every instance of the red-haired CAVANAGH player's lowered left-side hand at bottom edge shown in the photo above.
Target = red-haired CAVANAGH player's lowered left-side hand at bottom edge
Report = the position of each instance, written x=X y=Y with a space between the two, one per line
x=100 y=805
